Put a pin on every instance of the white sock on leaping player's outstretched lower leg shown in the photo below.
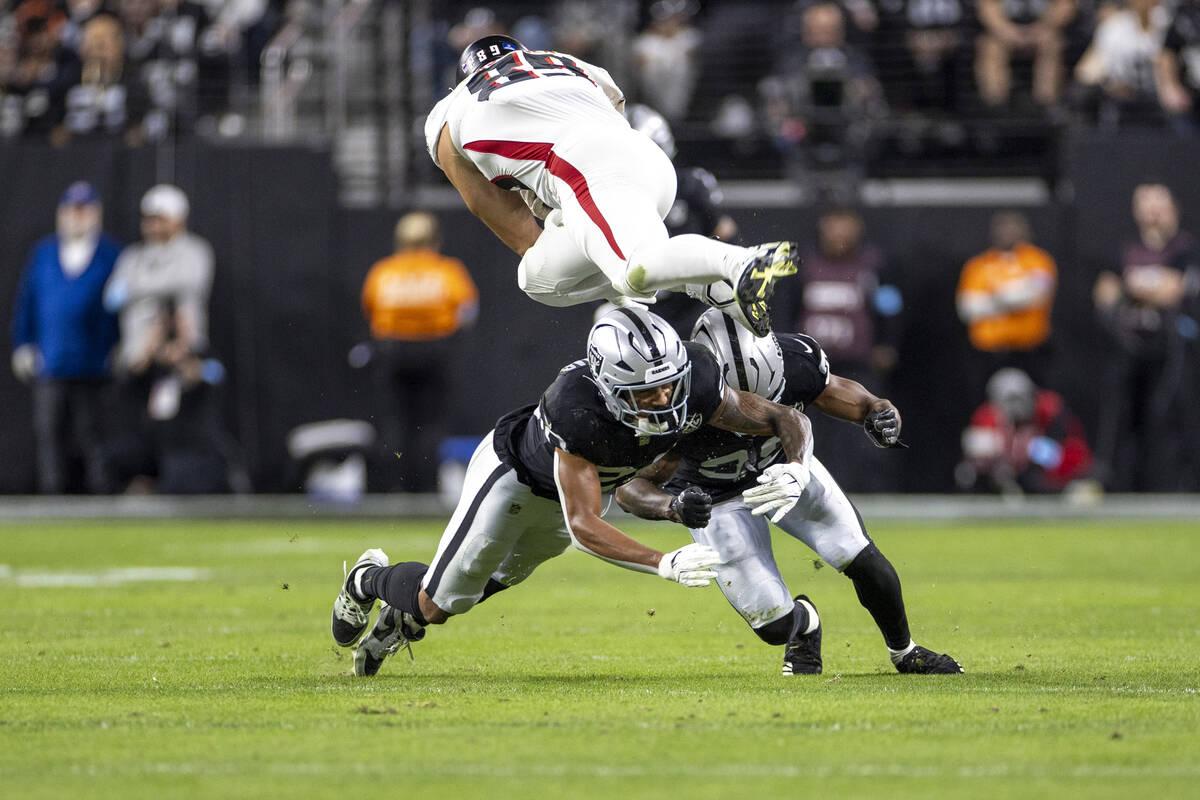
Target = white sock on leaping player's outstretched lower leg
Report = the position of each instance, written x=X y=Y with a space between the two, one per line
x=687 y=258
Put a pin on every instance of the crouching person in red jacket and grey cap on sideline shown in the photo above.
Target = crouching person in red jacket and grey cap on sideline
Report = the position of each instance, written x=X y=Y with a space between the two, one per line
x=1023 y=441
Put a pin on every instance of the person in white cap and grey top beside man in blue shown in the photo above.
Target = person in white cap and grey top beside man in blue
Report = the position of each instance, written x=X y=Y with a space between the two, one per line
x=161 y=291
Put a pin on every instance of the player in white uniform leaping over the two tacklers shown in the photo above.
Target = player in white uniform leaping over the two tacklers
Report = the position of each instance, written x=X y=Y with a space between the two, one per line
x=541 y=135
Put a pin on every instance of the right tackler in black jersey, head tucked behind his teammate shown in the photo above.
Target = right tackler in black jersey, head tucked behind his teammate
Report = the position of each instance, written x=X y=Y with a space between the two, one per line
x=793 y=370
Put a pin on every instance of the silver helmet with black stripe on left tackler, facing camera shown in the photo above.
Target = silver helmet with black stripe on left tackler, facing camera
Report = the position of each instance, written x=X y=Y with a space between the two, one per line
x=631 y=350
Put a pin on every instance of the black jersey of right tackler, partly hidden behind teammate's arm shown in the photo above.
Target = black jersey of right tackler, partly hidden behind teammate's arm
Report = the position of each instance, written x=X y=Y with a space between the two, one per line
x=725 y=464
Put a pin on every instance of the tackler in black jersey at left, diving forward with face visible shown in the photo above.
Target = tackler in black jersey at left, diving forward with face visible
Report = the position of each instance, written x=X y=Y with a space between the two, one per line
x=536 y=484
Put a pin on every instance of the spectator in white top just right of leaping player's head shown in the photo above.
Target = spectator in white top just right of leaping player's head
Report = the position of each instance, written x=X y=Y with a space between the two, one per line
x=665 y=65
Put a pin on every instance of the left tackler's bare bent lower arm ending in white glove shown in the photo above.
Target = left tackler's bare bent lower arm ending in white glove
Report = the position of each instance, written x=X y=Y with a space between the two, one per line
x=579 y=491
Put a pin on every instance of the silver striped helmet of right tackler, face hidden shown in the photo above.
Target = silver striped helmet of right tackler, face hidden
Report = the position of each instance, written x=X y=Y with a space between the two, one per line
x=749 y=363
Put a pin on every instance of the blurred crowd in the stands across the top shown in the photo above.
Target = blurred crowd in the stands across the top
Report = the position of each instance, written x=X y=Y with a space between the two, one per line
x=759 y=88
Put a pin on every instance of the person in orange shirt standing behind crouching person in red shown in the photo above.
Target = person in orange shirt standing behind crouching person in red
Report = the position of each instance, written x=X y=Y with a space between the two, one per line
x=1005 y=298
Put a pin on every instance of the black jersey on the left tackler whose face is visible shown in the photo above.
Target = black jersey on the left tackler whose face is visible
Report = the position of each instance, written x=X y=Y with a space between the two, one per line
x=573 y=416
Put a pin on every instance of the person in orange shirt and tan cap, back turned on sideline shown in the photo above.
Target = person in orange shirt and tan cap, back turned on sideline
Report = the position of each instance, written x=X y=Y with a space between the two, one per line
x=416 y=303
